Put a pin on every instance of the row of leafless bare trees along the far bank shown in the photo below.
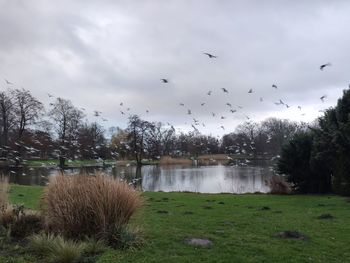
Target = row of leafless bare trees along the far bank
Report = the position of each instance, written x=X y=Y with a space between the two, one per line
x=29 y=131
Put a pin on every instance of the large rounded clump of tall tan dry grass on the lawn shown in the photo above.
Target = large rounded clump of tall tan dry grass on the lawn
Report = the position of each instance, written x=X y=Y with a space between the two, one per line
x=77 y=206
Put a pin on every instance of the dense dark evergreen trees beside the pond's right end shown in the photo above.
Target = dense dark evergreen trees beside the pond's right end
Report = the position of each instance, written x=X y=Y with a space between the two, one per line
x=317 y=160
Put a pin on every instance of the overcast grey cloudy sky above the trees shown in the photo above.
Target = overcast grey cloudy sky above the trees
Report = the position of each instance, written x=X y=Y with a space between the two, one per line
x=101 y=53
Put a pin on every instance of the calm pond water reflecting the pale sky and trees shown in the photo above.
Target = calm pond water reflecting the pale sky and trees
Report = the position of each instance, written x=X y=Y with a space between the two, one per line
x=202 y=179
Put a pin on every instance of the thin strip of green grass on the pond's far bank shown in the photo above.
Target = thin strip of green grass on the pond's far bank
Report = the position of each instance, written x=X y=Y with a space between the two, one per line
x=72 y=163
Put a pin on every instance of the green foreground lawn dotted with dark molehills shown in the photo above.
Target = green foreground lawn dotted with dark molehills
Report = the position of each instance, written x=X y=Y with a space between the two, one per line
x=240 y=230
